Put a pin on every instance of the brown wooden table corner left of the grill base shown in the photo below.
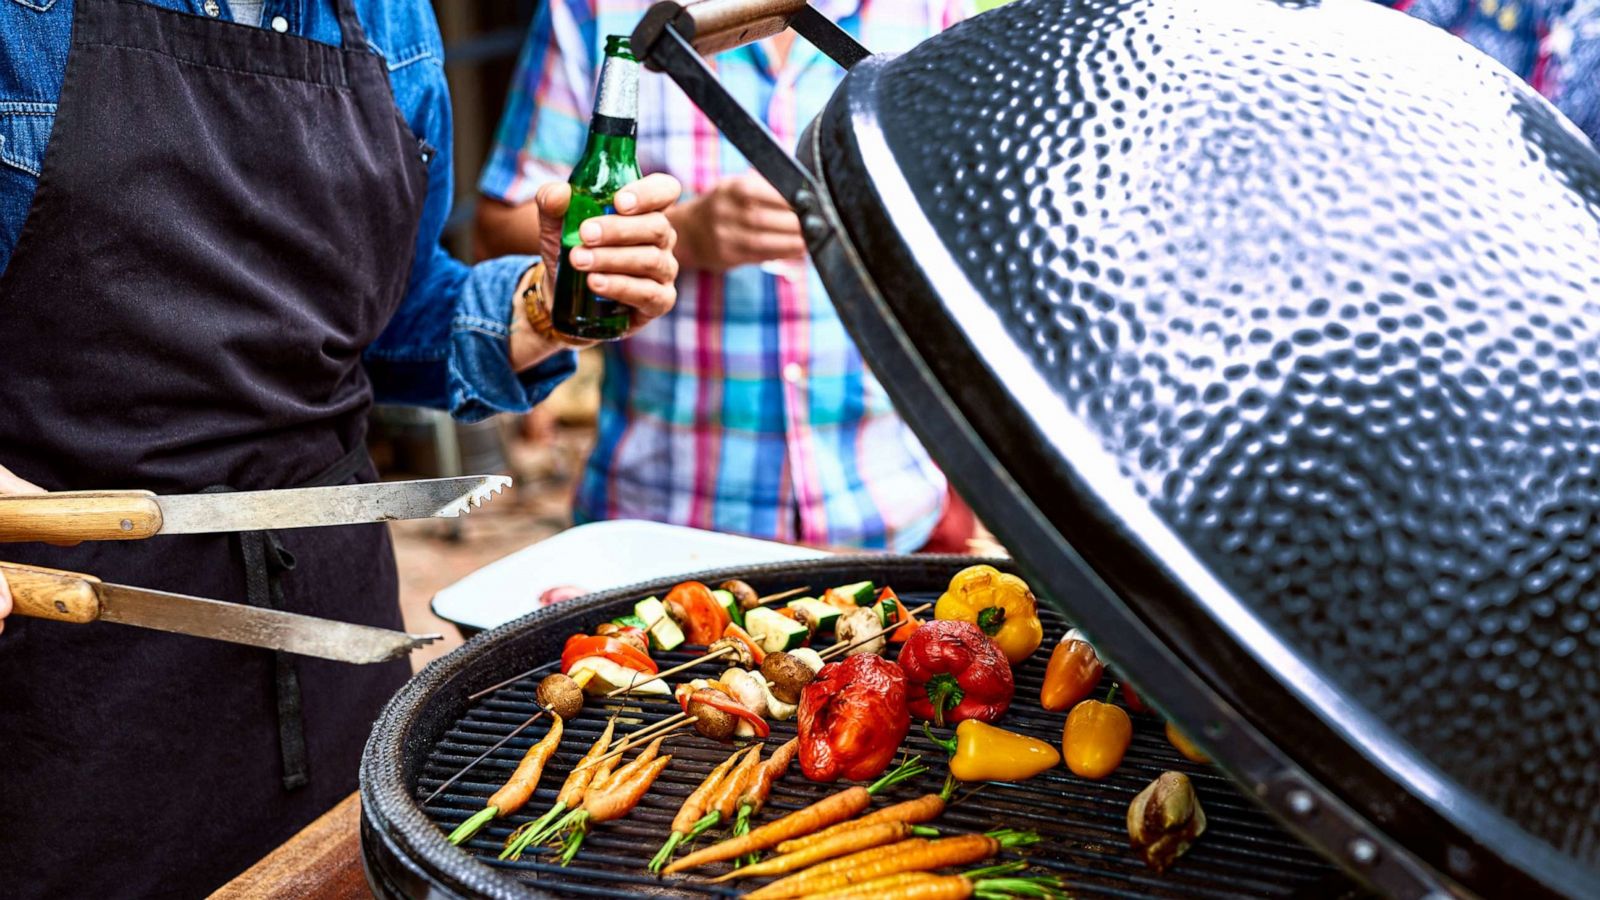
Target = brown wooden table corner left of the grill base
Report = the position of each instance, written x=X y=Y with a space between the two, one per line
x=322 y=862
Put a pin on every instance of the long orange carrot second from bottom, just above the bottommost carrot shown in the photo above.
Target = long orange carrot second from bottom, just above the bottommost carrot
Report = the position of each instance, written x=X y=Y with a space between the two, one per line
x=914 y=854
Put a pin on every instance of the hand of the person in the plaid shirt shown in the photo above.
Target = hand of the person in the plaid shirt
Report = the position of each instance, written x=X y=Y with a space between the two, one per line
x=740 y=222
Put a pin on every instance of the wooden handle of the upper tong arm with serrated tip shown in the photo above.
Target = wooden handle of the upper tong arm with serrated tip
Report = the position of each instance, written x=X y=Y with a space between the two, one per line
x=81 y=516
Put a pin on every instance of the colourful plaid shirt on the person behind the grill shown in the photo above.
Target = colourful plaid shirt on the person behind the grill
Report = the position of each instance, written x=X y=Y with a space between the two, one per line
x=748 y=409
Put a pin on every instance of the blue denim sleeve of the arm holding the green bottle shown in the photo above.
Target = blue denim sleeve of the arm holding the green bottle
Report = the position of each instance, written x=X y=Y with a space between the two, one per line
x=447 y=345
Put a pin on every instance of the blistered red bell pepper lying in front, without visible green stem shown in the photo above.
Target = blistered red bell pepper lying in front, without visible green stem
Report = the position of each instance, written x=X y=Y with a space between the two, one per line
x=854 y=720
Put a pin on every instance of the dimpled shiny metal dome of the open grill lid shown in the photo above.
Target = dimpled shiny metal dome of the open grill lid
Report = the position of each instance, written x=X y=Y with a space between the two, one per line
x=1310 y=294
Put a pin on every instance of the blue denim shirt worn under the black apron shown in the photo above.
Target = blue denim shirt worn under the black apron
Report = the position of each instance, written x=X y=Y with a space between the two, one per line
x=447 y=345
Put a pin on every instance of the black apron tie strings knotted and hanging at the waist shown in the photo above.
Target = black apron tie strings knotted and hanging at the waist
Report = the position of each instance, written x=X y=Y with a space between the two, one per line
x=266 y=561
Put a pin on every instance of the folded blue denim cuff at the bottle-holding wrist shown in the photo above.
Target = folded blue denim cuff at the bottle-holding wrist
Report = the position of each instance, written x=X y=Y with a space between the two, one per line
x=482 y=382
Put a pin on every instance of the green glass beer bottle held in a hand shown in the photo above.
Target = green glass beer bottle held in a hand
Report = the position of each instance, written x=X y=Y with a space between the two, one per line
x=607 y=166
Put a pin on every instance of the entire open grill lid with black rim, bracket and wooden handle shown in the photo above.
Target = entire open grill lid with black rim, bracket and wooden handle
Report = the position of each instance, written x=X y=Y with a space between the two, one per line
x=1265 y=334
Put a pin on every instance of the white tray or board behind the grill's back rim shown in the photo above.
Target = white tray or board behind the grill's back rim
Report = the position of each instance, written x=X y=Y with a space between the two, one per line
x=599 y=556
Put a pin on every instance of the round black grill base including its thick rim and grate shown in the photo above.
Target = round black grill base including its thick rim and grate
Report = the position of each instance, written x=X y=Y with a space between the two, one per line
x=431 y=731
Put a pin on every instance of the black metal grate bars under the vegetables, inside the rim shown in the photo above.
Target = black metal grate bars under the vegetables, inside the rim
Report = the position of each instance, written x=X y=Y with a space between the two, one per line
x=1242 y=854
